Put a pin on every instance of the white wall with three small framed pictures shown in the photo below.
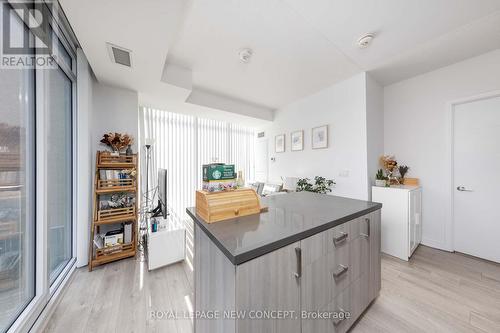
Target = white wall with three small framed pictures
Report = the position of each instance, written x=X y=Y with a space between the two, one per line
x=343 y=108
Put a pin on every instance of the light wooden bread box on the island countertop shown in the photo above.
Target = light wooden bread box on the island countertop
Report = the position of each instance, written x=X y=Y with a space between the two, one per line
x=219 y=206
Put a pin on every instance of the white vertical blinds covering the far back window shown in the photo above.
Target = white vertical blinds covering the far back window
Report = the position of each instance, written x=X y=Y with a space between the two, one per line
x=183 y=143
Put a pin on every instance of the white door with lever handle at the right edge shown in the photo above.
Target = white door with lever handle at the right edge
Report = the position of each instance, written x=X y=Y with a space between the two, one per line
x=477 y=178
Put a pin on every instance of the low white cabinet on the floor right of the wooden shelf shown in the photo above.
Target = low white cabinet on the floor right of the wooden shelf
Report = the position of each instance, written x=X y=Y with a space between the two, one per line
x=167 y=245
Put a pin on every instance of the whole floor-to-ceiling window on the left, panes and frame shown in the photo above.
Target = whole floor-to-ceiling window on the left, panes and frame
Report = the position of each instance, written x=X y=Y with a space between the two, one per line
x=36 y=170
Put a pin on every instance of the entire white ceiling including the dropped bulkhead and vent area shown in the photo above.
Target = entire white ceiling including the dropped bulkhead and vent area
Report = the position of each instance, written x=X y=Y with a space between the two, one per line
x=185 y=53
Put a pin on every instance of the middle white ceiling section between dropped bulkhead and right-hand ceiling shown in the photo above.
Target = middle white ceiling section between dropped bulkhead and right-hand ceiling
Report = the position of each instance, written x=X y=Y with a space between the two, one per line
x=291 y=59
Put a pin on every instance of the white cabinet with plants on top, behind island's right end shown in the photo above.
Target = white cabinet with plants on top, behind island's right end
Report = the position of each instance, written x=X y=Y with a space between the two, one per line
x=401 y=219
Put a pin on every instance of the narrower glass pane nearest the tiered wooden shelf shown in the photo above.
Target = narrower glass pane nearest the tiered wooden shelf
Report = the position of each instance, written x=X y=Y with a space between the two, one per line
x=58 y=117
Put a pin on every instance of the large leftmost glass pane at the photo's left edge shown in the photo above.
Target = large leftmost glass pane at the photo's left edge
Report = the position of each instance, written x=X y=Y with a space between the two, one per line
x=17 y=186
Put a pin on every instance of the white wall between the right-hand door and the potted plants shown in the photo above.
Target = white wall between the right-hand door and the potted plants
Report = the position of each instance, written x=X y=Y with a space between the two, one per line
x=417 y=130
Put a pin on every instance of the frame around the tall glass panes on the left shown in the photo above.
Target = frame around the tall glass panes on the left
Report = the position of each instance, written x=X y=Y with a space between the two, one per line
x=45 y=293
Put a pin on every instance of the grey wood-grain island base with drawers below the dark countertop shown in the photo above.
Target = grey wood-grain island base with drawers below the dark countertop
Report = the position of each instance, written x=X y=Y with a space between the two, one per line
x=334 y=271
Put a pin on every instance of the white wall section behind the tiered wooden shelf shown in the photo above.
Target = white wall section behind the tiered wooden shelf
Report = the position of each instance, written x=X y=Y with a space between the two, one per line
x=101 y=109
